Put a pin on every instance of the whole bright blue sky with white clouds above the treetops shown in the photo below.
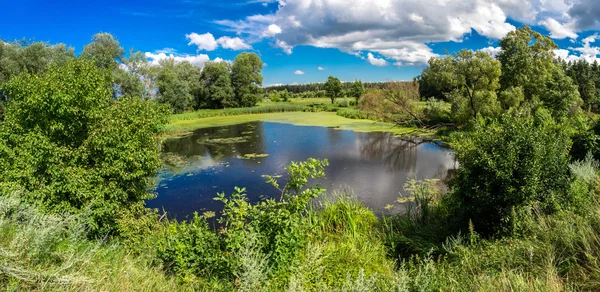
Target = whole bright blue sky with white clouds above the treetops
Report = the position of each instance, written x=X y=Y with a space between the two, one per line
x=372 y=40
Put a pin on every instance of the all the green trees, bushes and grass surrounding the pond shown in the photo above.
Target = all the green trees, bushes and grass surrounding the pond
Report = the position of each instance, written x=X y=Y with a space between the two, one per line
x=80 y=143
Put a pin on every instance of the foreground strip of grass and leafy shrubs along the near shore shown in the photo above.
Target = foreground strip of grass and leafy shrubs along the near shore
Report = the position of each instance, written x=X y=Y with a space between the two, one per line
x=299 y=244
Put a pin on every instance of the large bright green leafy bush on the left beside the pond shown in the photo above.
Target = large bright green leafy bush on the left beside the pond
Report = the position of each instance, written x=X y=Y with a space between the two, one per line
x=70 y=147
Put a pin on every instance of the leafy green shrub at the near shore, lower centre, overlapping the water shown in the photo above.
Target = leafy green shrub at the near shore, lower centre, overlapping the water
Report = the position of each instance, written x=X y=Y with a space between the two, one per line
x=279 y=226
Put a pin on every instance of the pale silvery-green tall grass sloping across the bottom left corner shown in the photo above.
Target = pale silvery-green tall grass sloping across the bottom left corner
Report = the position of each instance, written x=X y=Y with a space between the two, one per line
x=51 y=253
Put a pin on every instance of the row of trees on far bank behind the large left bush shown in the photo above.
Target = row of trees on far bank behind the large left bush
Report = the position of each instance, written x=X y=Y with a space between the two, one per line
x=179 y=84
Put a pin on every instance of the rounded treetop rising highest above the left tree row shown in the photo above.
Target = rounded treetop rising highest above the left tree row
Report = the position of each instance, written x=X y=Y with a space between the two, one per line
x=104 y=50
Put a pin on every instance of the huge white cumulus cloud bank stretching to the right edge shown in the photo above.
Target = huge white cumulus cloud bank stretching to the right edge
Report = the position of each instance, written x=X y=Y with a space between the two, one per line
x=402 y=31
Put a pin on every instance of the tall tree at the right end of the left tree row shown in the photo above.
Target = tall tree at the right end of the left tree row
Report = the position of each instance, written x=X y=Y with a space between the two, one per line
x=246 y=79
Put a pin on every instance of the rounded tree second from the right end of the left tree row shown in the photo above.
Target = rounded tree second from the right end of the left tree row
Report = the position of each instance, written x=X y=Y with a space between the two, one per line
x=216 y=89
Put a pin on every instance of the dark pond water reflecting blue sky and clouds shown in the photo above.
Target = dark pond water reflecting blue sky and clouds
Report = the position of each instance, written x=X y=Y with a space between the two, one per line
x=372 y=166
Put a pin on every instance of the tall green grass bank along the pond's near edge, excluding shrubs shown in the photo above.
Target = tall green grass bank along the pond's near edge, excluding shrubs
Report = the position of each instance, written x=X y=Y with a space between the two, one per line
x=346 y=250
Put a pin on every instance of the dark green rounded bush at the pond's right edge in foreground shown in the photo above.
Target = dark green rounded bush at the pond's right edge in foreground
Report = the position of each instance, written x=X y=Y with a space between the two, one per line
x=510 y=164
